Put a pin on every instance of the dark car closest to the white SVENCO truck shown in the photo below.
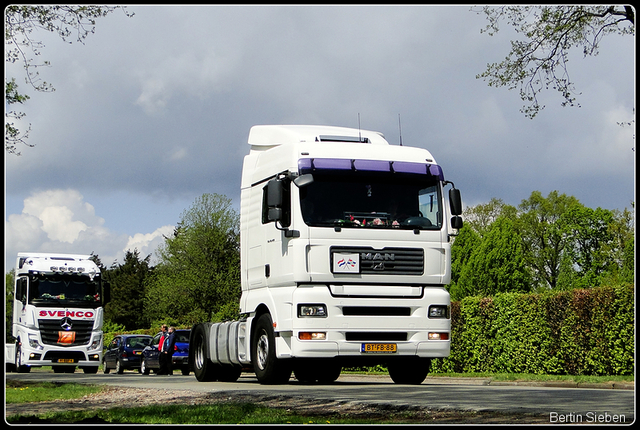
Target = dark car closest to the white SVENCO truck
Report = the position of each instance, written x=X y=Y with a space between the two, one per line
x=125 y=352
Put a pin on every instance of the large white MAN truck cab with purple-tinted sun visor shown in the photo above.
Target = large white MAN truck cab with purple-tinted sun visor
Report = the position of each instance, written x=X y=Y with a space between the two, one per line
x=345 y=245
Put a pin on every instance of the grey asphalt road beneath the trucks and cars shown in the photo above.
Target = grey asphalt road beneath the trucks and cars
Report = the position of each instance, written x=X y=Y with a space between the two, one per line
x=560 y=404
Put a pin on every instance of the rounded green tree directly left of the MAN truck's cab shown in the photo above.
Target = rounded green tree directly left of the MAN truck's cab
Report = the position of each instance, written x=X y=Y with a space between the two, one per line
x=198 y=276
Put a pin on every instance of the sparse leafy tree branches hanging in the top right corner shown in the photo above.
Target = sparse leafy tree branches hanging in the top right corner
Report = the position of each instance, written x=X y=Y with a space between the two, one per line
x=540 y=61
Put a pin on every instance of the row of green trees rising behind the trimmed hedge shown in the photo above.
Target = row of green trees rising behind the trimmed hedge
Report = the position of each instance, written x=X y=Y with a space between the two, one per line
x=551 y=242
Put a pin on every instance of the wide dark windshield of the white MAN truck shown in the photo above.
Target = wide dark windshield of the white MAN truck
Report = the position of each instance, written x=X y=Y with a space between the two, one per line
x=383 y=200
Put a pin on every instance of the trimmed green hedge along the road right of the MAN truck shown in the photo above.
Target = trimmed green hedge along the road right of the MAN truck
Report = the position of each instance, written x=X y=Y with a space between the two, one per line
x=579 y=332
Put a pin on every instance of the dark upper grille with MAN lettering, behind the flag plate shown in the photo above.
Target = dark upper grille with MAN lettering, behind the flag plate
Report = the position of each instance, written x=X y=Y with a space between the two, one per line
x=386 y=261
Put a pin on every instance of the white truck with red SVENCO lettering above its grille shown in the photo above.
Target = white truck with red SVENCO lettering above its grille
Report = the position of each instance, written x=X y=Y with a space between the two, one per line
x=57 y=313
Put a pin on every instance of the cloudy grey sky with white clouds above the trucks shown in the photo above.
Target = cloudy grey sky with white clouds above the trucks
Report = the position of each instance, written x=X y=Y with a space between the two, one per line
x=154 y=111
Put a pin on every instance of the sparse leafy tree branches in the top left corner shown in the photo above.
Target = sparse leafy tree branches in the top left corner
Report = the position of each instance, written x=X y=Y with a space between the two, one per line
x=20 y=23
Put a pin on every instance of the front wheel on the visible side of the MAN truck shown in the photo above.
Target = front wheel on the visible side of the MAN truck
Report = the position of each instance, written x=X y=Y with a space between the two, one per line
x=268 y=369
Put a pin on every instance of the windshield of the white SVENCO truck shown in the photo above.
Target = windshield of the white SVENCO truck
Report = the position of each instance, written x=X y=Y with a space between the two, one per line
x=64 y=289
